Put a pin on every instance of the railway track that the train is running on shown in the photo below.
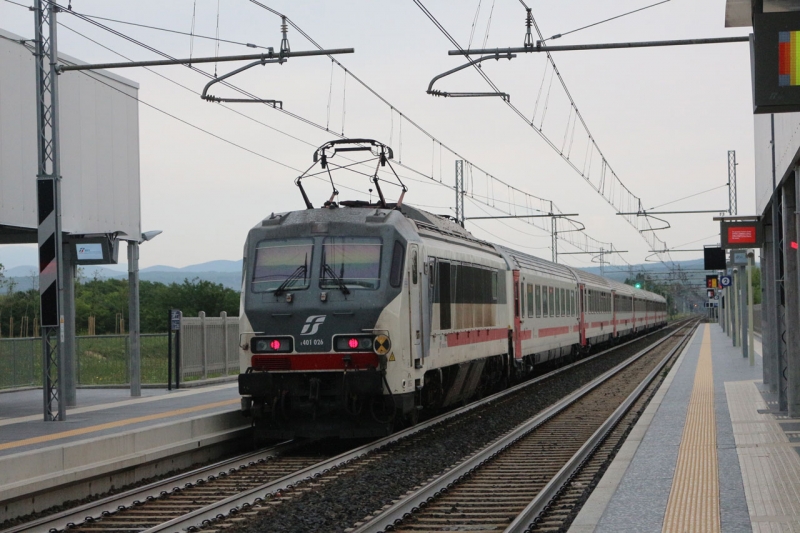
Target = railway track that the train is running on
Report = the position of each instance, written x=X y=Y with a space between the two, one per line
x=228 y=492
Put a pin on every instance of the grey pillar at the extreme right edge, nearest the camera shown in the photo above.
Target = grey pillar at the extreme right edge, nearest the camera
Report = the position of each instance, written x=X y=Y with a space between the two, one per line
x=791 y=291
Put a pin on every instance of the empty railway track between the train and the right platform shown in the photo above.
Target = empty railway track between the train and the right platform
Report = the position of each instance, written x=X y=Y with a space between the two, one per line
x=532 y=478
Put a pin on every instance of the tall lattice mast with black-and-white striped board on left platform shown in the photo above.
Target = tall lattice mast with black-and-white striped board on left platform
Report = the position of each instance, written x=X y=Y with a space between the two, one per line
x=48 y=195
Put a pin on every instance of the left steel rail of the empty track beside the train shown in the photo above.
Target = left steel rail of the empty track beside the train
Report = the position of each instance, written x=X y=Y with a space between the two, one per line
x=386 y=520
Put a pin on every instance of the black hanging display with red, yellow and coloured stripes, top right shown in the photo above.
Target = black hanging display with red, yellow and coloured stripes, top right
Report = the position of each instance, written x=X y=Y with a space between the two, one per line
x=775 y=55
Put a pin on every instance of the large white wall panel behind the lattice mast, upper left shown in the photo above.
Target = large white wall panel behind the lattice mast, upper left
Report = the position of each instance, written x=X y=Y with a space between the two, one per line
x=99 y=146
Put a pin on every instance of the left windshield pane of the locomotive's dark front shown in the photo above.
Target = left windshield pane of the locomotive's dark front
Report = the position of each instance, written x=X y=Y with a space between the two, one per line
x=282 y=264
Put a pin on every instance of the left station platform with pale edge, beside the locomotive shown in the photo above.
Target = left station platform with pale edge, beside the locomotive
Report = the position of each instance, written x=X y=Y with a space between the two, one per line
x=109 y=439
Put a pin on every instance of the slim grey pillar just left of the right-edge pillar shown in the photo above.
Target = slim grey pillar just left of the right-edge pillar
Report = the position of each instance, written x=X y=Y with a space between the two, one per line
x=768 y=315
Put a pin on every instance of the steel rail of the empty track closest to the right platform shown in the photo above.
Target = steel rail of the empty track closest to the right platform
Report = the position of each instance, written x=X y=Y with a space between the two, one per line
x=528 y=517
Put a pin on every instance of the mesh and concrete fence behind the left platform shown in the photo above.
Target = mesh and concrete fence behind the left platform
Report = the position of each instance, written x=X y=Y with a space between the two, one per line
x=209 y=348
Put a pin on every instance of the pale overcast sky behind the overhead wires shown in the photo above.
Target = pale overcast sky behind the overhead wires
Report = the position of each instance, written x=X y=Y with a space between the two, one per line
x=664 y=118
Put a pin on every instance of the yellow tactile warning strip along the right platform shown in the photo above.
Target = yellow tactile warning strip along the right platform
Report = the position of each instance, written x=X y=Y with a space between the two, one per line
x=694 y=499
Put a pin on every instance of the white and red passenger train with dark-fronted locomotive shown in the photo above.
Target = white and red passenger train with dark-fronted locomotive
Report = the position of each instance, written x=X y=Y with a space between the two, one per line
x=358 y=317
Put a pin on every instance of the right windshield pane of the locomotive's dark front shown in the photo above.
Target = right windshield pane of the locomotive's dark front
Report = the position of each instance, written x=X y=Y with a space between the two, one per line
x=350 y=263
